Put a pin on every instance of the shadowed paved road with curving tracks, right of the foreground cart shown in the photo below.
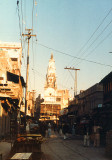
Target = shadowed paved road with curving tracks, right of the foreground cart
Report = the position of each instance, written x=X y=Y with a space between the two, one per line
x=56 y=148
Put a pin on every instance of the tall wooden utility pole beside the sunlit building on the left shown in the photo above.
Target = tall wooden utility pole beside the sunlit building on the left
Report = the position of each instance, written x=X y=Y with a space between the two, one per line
x=28 y=35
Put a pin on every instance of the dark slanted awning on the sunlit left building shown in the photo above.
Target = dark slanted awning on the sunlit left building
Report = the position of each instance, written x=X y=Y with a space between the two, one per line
x=15 y=78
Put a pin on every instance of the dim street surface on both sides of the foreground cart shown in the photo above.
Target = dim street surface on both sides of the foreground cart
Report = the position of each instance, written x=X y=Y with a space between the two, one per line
x=56 y=148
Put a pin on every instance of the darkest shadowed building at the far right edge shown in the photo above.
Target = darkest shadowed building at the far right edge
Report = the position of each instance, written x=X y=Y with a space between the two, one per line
x=106 y=111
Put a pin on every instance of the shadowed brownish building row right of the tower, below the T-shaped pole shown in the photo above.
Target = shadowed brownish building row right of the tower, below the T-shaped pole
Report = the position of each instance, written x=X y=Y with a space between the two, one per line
x=81 y=108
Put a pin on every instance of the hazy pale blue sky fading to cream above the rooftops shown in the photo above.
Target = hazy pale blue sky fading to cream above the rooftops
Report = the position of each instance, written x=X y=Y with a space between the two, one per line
x=66 y=28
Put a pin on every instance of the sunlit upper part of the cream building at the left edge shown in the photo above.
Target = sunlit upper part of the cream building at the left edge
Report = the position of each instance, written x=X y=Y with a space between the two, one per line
x=10 y=70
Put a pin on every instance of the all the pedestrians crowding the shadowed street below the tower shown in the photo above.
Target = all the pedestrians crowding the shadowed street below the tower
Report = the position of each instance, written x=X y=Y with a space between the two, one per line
x=44 y=128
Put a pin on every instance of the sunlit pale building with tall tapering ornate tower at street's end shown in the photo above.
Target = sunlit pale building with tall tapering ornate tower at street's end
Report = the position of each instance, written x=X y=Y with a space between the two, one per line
x=54 y=99
